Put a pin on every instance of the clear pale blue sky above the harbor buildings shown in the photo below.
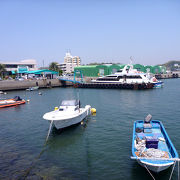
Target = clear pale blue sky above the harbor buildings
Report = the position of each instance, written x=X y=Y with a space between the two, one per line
x=96 y=30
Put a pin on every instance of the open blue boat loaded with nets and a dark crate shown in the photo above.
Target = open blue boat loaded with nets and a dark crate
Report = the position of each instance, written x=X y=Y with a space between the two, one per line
x=151 y=145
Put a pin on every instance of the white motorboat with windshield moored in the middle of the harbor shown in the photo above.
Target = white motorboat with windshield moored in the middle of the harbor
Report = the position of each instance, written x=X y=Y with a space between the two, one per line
x=69 y=113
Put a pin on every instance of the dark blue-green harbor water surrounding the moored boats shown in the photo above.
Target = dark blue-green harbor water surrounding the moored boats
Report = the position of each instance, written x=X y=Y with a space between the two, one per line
x=99 y=148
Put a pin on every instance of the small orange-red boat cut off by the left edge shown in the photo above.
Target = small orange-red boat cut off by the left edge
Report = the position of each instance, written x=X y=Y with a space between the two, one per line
x=11 y=102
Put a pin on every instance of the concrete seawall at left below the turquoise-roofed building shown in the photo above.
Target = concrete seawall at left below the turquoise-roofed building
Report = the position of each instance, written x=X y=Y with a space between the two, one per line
x=44 y=83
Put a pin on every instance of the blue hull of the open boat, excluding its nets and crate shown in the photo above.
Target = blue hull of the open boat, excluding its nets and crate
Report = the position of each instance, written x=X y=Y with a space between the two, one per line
x=159 y=131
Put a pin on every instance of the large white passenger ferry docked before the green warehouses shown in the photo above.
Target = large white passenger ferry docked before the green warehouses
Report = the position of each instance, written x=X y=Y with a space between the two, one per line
x=129 y=75
